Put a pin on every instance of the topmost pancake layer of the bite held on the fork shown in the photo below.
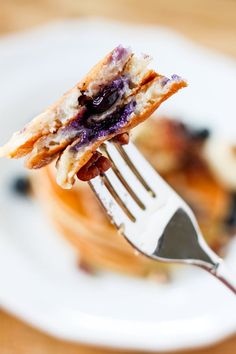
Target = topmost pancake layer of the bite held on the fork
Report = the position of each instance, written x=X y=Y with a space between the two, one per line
x=66 y=108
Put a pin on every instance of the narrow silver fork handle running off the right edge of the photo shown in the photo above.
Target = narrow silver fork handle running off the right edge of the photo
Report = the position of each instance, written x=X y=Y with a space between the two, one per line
x=221 y=272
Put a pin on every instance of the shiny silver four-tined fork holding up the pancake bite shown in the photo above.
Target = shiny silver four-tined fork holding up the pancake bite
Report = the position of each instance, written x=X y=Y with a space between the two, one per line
x=151 y=215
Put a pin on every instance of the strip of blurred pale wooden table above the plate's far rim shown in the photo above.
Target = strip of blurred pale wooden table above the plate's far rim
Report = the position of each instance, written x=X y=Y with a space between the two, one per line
x=211 y=22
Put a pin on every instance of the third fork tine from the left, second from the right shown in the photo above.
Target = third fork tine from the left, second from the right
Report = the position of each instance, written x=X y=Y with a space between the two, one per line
x=121 y=168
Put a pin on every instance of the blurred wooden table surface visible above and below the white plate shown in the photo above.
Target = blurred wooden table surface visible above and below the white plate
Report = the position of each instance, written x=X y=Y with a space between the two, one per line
x=210 y=22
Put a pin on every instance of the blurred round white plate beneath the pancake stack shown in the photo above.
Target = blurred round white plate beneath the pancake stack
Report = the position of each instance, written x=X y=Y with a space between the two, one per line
x=39 y=279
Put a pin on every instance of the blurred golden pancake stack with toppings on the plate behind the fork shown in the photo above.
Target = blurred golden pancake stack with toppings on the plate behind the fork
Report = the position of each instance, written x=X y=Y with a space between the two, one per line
x=178 y=153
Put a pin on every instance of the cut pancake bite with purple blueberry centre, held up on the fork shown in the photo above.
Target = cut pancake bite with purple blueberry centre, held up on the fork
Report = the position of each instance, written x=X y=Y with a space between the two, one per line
x=117 y=94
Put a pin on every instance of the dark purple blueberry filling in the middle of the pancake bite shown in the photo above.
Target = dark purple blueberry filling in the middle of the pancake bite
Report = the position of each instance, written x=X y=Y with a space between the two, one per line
x=93 y=123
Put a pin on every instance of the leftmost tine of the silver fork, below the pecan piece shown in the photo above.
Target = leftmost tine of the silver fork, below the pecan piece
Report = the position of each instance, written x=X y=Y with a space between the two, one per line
x=112 y=208
